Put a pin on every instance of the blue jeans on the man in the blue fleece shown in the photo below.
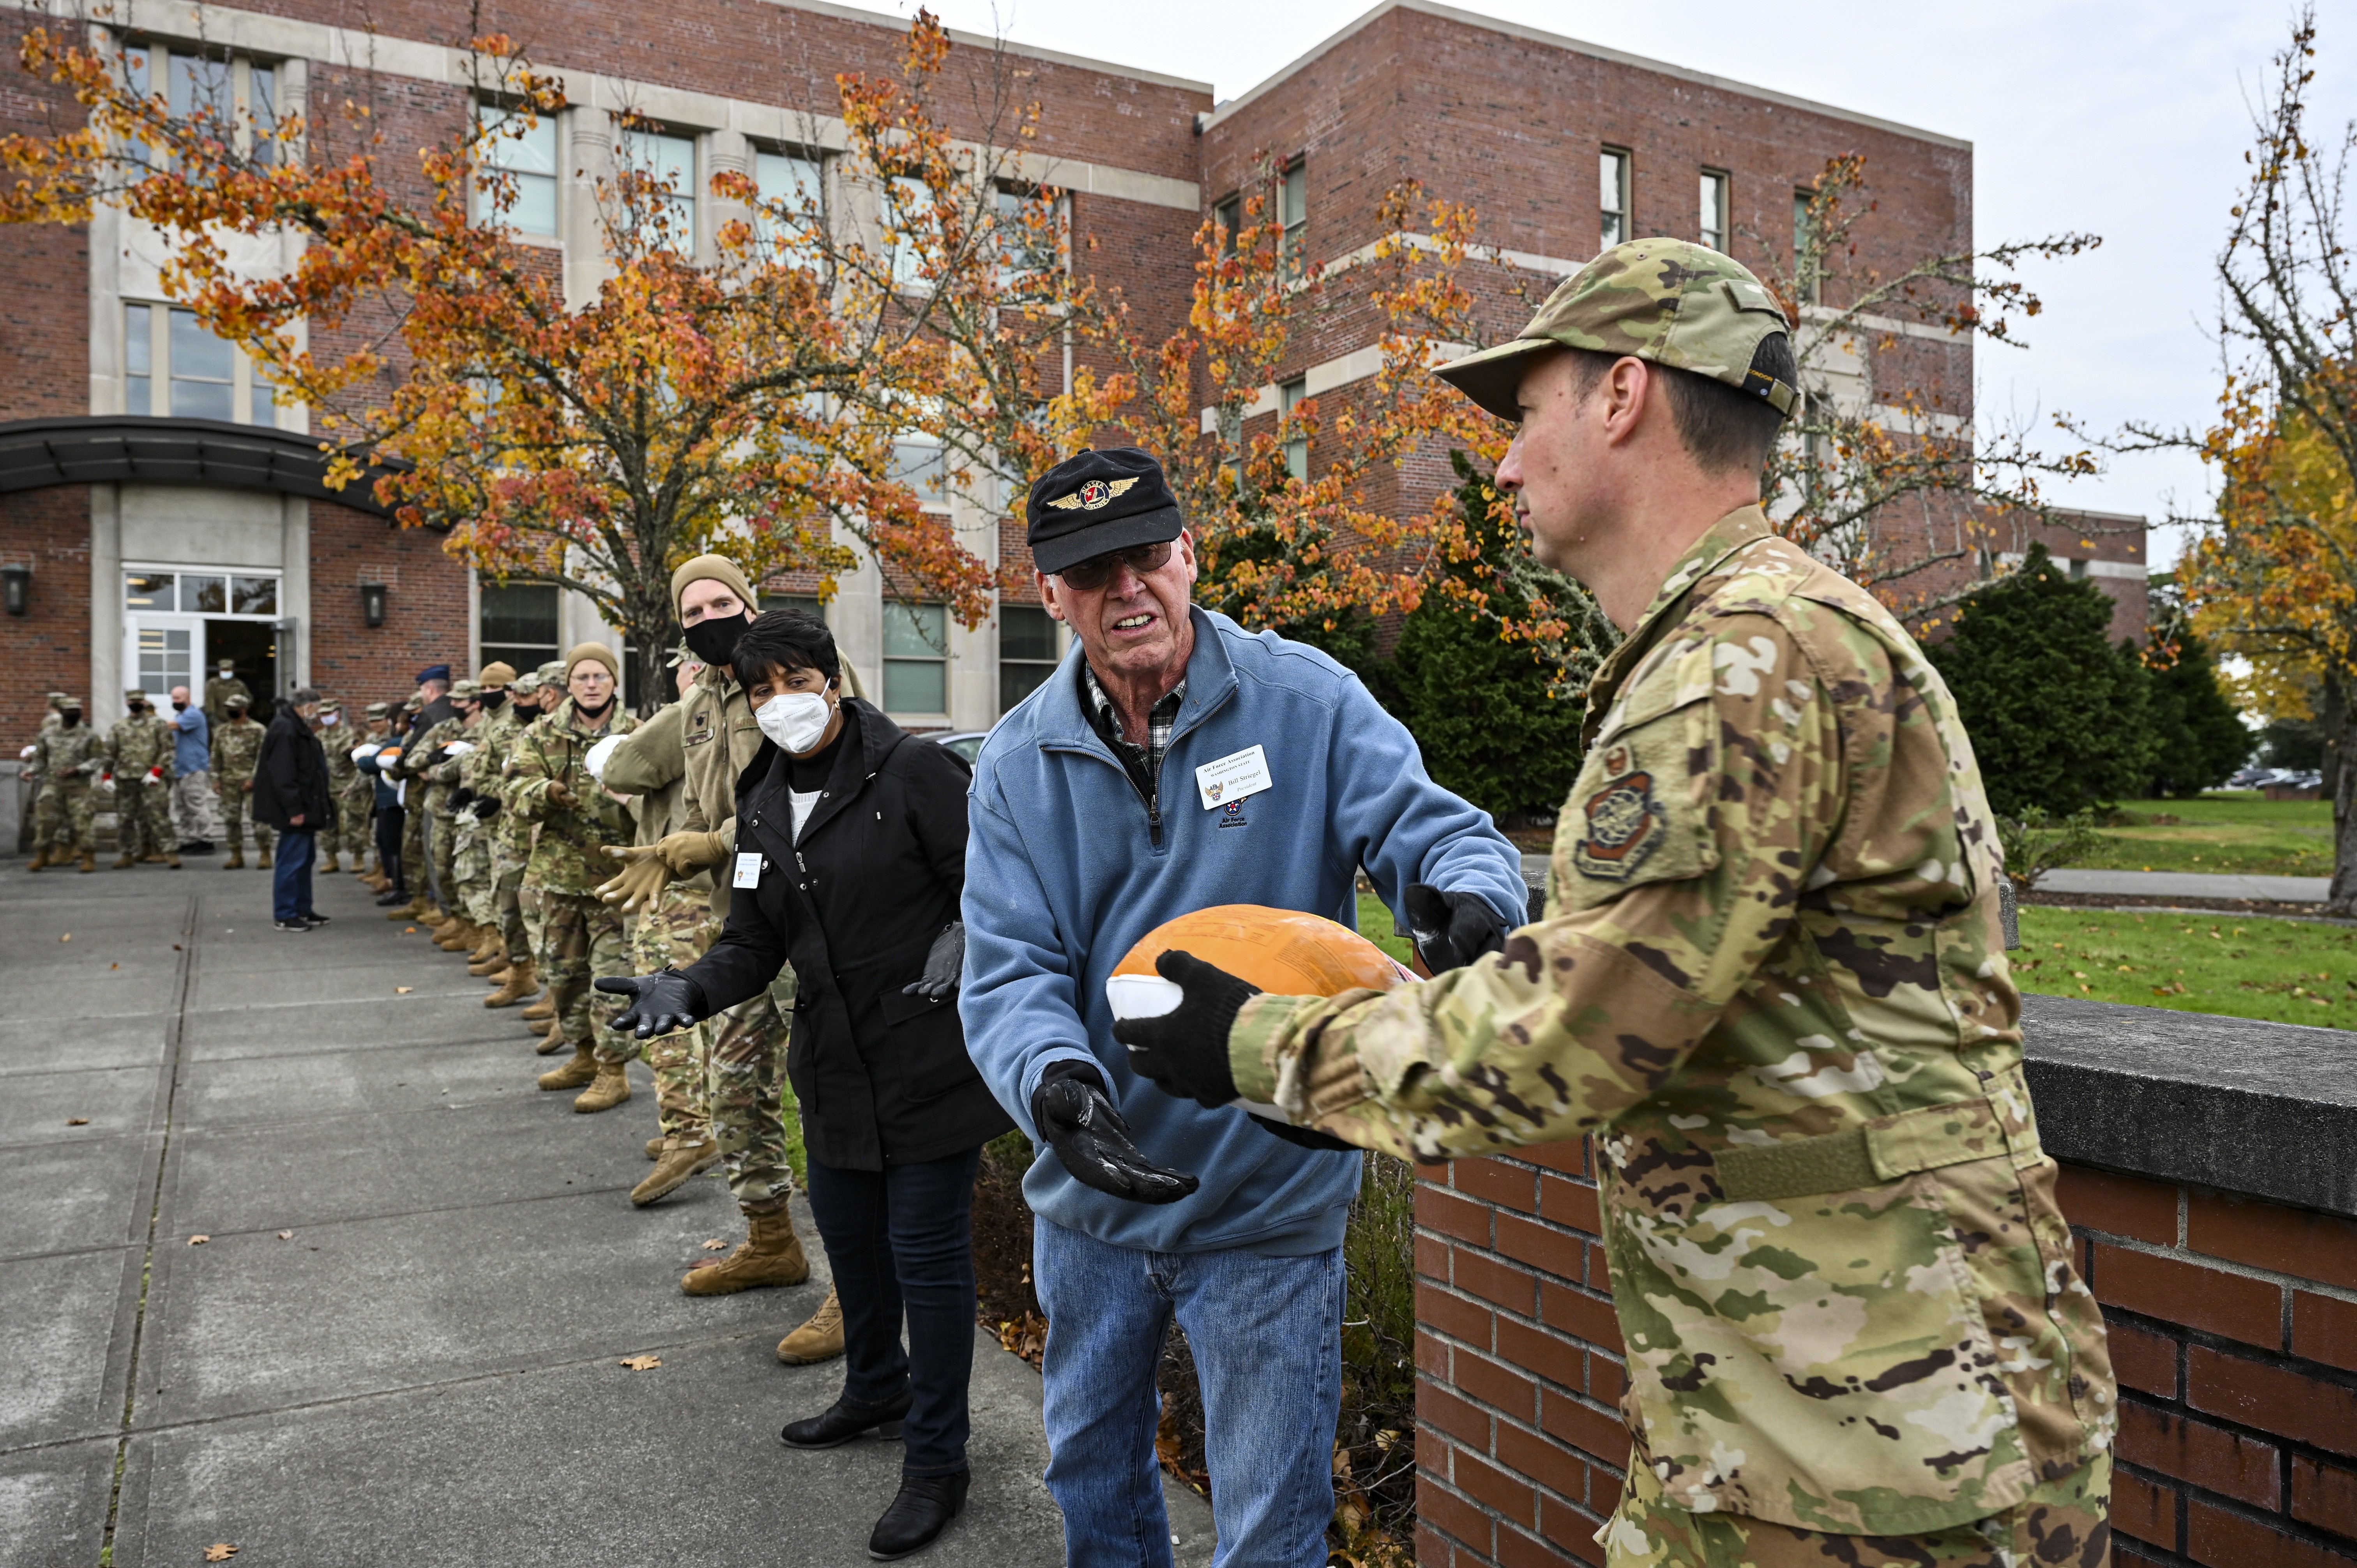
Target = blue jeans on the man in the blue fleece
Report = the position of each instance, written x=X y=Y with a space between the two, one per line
x=1267 y=1338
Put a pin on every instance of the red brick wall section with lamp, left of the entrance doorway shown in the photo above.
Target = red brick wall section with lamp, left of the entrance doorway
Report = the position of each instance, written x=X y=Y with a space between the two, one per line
x=48 y=647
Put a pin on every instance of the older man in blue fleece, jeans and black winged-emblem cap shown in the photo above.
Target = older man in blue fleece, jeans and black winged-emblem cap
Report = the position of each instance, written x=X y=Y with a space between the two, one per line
x=1095 y=822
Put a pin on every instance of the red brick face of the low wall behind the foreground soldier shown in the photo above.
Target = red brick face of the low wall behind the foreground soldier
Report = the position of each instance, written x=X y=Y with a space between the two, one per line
x=2233 y=1329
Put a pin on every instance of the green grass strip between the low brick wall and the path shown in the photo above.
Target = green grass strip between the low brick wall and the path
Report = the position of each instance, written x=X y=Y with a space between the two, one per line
x=2283 y=970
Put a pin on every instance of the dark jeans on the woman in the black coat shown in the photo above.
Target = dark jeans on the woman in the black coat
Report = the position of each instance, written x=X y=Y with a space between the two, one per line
x=902 y=1241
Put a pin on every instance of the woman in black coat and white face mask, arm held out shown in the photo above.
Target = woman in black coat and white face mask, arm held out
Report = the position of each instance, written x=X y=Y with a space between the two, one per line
x=852 y=855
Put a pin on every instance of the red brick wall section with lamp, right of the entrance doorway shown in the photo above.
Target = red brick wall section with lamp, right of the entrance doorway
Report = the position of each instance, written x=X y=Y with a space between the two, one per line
x=425 y=605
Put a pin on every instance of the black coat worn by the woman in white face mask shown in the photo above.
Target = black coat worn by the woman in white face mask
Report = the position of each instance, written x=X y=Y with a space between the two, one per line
x=854 y=907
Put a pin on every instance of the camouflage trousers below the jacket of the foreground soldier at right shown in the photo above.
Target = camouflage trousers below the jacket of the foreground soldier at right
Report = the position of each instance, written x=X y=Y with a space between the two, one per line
x=2064 y=1524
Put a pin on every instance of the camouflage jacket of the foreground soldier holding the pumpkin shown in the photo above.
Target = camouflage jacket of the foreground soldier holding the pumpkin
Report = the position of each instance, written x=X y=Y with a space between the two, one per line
x=1771 y=982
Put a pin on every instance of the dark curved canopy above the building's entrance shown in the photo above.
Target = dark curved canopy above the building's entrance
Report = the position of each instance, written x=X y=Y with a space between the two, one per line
x=138 y=449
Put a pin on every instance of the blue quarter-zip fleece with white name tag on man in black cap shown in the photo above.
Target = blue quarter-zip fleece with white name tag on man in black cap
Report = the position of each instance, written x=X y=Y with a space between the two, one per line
x=1067 y=874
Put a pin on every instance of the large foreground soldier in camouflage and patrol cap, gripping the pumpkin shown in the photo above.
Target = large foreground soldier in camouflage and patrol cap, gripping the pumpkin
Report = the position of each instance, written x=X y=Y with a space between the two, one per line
x=1771 y=984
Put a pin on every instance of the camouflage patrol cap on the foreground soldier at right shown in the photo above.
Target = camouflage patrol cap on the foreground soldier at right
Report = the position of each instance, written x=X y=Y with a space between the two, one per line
x=1670 y=303
